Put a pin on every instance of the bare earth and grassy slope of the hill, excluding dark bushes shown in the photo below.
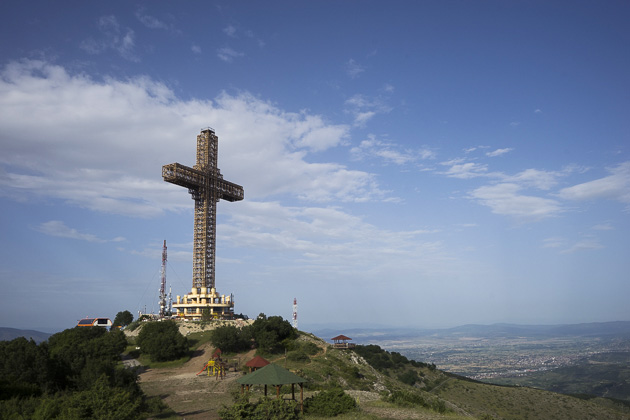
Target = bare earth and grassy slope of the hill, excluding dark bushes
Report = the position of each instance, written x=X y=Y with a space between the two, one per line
x=386 y=385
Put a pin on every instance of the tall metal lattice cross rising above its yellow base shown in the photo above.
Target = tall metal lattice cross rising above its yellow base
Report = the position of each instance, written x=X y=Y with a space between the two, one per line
x=207 y=186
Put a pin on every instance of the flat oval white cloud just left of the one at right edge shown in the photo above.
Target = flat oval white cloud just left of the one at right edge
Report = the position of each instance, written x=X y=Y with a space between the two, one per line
x=505 y=199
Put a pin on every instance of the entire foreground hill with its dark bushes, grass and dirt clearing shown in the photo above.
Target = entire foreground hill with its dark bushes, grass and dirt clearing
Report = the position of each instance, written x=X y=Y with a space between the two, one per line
x=78 y=374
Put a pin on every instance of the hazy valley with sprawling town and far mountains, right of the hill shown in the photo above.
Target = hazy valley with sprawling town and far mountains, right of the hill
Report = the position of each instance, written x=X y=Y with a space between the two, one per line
x=584 y=359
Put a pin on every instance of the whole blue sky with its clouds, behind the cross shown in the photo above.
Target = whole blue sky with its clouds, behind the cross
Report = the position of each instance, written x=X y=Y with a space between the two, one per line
x=423 y=164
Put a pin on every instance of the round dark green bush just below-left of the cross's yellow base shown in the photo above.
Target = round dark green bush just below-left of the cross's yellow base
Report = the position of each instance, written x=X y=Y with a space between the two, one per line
x=162 y=341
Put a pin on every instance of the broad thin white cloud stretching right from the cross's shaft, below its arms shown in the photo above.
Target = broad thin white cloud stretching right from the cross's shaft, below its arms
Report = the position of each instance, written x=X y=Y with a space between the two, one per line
x=330 y=239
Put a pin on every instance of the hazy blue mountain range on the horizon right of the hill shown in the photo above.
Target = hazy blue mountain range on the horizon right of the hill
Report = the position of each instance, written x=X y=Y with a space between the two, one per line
x=593 y=329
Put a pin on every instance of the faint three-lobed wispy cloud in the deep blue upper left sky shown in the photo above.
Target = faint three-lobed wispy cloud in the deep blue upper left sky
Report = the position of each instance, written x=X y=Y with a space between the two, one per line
x=113 y=37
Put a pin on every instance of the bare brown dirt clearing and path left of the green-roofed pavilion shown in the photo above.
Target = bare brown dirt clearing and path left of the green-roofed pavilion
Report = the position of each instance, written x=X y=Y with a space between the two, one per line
x=190 y=395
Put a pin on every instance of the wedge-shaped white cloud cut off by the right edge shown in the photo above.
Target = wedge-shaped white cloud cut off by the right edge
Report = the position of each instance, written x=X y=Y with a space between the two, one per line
x=613 y=187
